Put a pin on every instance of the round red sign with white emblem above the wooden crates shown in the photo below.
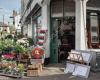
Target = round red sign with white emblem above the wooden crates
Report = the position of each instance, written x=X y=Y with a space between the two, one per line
x=37 y=53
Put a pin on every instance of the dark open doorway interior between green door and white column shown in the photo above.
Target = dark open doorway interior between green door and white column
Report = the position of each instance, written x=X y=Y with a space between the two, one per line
x=66 y=37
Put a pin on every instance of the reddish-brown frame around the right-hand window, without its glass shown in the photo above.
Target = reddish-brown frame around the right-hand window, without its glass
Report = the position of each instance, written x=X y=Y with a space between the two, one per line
x=89 y=42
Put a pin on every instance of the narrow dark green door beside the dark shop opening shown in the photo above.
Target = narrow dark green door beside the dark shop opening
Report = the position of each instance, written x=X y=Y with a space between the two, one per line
x=54 y=41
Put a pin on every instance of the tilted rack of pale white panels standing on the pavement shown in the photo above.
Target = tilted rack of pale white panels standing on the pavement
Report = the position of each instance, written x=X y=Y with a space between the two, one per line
x=78 y=63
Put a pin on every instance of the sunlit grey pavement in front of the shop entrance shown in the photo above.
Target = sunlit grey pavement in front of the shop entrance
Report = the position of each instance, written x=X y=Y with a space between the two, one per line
x=56 y=72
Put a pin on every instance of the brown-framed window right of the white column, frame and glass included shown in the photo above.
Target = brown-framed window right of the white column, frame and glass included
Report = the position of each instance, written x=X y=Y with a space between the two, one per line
x=93 y=29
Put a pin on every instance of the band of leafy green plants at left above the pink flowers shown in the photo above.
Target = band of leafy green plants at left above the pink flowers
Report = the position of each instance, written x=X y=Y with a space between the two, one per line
x=8 y=43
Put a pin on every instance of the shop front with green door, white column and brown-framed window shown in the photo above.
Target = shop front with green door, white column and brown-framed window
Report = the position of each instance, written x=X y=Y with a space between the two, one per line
x=75 y=24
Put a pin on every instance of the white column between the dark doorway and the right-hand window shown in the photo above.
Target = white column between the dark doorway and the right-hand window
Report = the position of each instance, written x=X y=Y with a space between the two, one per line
x=80 y=33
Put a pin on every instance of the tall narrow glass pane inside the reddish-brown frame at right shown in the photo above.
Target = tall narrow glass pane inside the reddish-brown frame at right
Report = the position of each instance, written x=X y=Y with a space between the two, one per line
x=94 y=28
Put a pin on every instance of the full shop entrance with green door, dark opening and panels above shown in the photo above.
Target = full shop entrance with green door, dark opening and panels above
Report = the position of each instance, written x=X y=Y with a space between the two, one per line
x=62 y=29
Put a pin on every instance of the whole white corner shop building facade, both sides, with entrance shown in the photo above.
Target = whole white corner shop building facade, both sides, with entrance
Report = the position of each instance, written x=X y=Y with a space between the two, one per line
x=69 y=24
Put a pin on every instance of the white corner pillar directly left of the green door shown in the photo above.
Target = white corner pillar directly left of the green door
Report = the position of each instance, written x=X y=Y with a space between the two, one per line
x=46 y=25
